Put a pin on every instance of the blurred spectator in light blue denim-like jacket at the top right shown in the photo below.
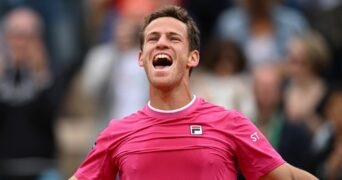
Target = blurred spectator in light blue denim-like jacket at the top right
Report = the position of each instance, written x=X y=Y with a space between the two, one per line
x=262 y=28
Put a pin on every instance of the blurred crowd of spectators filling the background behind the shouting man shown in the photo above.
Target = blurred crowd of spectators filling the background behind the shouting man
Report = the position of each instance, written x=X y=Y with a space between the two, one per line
x=69 y=67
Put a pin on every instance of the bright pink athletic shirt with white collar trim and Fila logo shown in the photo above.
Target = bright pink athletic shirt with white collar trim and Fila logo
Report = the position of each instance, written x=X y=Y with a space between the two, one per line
x=199 y=141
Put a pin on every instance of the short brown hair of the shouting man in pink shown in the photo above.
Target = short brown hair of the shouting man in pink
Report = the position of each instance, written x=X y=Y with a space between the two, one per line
x=179 y=14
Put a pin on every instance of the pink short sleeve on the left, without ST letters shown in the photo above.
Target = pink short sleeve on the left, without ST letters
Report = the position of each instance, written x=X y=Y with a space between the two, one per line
x=98 y=165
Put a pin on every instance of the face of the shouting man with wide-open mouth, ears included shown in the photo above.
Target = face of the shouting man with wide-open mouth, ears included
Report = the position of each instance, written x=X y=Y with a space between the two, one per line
x=165 y=54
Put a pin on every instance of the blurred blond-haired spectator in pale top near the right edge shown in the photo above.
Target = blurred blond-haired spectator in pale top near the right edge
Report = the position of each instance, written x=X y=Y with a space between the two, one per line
x=308 y=57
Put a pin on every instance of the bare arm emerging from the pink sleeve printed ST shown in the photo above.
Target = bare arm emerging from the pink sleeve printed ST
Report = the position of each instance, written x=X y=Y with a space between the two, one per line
x=287 y=171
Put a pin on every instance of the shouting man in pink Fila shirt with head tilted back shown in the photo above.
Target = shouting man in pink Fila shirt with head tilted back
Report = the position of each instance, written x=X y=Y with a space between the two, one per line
x=176 y=135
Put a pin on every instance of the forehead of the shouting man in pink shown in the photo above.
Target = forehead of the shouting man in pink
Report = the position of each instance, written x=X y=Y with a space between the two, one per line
x=166 y=25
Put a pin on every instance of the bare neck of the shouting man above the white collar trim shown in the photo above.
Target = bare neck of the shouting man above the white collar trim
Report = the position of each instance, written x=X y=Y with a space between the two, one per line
x=172 y=99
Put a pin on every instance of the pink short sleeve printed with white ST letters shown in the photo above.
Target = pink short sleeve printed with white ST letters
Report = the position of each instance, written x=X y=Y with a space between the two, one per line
x=255 y=155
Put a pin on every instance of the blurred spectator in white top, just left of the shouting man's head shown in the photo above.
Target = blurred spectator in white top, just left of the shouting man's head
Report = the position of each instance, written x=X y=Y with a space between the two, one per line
x=110 y=73
